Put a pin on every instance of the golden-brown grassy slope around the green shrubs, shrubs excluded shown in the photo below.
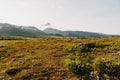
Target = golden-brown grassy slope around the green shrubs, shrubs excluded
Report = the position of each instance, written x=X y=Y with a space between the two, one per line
x=44 y=58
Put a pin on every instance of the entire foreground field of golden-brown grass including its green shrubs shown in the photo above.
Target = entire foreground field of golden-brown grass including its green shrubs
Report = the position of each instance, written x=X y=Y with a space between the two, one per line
x=60 y=59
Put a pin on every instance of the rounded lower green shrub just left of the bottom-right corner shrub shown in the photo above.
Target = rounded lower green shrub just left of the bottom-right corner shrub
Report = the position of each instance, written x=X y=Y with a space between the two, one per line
x=78 y=66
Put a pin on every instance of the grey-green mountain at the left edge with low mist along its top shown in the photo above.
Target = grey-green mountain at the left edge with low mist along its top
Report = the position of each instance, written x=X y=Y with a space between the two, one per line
x=13 y=30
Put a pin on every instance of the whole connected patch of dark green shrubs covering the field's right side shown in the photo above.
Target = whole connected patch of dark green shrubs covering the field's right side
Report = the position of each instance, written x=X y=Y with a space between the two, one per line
x=81 y=63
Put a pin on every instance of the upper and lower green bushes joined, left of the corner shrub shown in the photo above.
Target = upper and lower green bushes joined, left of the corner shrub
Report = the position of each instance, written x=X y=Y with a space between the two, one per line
x=78 y=61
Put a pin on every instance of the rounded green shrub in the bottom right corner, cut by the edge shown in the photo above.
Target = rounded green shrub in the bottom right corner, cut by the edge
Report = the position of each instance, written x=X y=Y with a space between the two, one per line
x=110 y=68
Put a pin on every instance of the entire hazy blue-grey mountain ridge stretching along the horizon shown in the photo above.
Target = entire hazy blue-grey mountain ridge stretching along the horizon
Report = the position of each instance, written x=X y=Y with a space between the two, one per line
x=31 y=31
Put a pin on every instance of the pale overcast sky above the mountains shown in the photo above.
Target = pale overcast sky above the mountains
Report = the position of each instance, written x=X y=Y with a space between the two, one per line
x=85 y=15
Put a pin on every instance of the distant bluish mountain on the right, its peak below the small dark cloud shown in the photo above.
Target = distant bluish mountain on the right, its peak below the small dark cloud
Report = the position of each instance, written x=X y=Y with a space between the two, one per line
x=73 y=33
